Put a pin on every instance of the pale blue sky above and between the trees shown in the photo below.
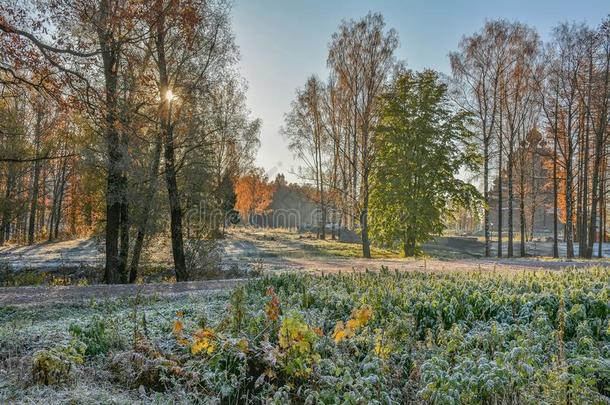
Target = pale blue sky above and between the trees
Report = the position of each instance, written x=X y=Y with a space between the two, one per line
x=283 y=42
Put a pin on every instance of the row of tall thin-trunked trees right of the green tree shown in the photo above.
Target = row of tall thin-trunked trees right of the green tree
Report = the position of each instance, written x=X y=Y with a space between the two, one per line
x=518 y=87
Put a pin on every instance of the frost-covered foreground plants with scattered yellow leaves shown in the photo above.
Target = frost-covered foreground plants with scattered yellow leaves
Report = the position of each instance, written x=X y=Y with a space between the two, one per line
x=384 y=337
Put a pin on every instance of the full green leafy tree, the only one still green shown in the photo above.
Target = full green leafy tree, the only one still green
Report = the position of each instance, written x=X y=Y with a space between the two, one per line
x=422 y=145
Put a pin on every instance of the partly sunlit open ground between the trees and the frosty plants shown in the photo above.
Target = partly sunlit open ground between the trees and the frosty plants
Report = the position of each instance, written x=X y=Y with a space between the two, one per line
x=267 y=251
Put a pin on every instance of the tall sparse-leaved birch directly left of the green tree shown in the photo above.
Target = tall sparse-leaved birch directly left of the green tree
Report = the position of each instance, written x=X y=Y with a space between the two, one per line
x=361 y=55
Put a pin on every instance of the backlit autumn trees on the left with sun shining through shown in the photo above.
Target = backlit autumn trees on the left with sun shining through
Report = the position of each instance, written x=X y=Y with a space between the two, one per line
x=119 y=118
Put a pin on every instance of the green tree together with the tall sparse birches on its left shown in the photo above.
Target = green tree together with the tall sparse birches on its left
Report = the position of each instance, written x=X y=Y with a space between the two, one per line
x=368 y=160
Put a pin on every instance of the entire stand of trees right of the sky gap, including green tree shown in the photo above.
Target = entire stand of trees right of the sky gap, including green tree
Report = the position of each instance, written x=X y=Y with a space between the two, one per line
x=524 y=102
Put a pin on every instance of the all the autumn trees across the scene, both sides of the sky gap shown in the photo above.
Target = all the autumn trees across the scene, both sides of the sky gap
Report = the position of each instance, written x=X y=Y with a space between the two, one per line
x=128 y=121
